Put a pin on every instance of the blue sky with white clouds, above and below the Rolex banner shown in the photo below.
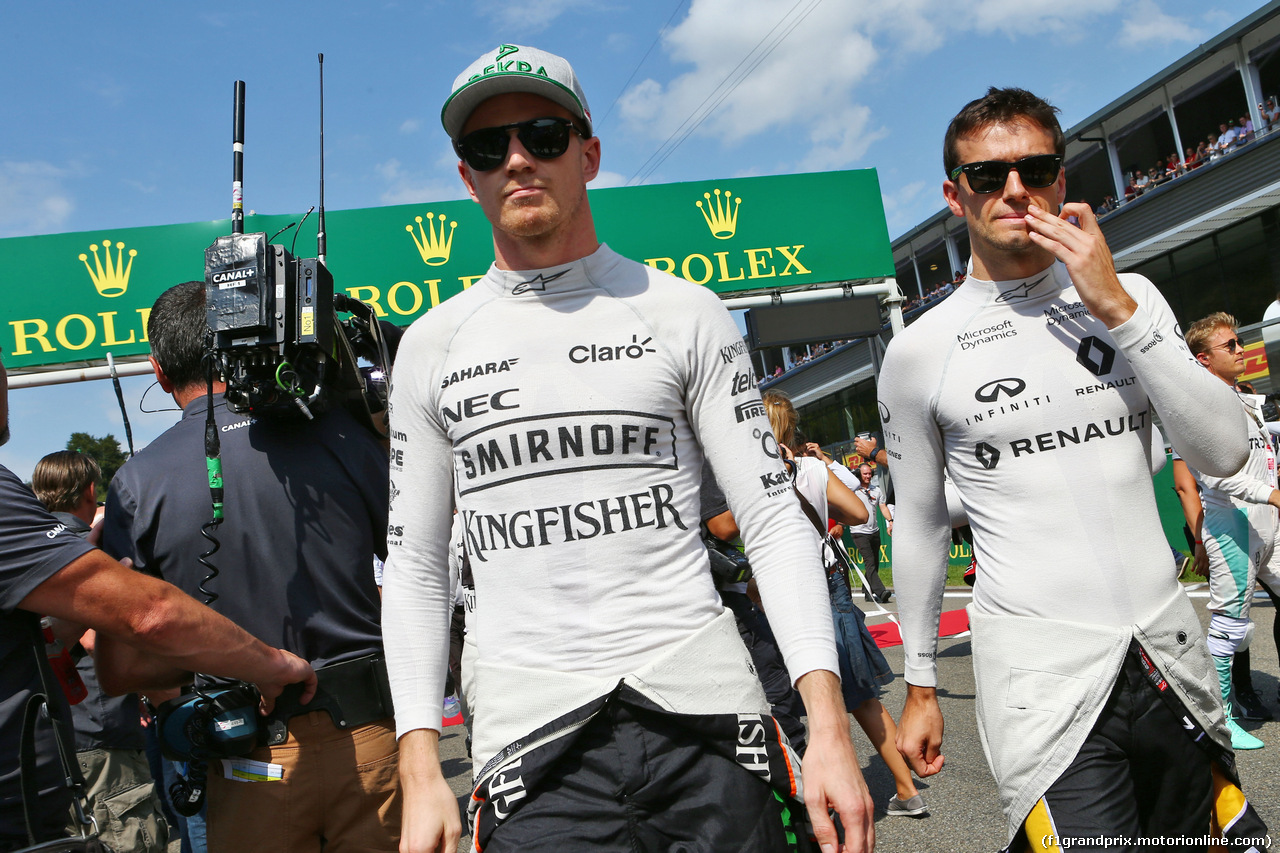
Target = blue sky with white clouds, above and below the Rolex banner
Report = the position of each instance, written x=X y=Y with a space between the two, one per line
x=120 y=115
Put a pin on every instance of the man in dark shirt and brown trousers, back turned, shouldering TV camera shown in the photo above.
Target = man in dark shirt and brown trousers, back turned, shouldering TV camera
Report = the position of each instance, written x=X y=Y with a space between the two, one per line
x=305 y=505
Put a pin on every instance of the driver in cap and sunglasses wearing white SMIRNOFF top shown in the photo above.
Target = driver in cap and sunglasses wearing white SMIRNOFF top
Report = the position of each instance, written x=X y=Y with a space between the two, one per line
x=565 y=407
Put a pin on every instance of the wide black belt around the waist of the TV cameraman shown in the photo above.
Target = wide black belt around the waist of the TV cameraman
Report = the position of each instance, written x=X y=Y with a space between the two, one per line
x=355 y=694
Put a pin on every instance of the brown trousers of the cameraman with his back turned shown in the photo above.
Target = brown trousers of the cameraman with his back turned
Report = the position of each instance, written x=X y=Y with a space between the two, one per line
x=340 y=793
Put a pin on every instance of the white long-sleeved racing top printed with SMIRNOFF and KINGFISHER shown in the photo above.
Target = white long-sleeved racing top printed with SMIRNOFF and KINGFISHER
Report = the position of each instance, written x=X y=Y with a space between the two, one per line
x=566 y=416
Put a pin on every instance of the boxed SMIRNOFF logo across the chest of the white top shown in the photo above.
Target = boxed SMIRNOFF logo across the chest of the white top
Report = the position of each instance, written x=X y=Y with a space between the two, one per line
x=548 y=445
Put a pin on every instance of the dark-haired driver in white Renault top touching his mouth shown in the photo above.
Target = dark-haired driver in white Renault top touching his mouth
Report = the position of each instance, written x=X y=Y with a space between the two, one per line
x=1034 y=387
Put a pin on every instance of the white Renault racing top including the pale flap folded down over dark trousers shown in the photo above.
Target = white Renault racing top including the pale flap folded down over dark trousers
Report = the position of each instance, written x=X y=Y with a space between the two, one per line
x=1043 y=419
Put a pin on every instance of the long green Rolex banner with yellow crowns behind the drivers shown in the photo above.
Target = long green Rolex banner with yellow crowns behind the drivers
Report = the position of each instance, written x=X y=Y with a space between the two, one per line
x=74 y=298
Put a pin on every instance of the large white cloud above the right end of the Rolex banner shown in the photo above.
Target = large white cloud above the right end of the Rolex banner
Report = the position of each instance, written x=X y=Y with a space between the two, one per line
x=812 y=79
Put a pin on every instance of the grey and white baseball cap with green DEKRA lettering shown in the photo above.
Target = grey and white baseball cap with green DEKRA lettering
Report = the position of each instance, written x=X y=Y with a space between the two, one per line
x=515 y=69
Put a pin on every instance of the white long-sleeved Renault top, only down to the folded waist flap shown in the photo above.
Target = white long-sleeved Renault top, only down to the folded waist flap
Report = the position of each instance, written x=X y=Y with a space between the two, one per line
x=1043 y=419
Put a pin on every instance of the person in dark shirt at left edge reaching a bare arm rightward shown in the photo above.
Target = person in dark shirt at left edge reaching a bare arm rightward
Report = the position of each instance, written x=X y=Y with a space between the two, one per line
x=148 y=631
